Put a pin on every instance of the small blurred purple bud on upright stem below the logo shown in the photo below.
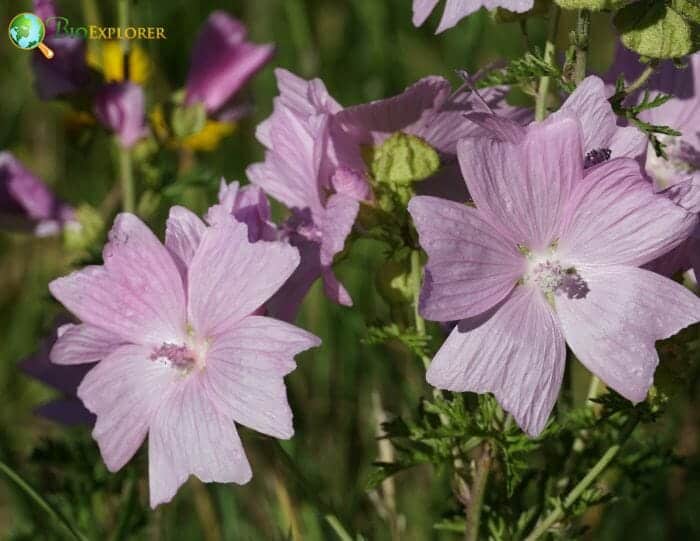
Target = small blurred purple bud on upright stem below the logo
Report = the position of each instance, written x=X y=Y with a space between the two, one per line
x=121 y=108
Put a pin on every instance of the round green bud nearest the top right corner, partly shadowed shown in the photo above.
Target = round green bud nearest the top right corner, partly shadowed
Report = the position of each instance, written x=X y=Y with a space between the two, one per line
x=655 y=30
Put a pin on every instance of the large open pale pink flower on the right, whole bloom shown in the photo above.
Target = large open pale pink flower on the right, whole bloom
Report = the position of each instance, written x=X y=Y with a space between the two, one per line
x=549 y=256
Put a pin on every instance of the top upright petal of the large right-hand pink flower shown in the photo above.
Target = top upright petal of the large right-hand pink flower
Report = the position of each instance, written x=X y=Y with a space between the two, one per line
x=525 y=186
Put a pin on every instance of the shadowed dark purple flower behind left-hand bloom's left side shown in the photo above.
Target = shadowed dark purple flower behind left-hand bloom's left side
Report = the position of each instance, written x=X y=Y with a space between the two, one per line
x=68 y=409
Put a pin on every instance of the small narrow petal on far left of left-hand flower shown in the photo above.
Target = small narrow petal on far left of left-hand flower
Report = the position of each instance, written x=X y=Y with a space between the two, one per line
x=79 y=344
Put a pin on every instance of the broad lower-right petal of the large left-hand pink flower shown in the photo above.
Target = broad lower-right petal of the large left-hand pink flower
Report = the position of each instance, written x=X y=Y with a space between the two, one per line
x=245 y=371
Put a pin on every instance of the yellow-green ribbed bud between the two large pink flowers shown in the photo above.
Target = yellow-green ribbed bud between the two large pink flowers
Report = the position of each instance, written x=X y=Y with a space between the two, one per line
x=403 y=159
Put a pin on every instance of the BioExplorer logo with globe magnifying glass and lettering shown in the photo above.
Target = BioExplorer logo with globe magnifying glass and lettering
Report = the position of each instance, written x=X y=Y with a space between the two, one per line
x=27 y=31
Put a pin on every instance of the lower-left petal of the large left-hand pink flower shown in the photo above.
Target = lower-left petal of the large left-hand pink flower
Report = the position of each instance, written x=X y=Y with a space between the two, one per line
x=124 y=391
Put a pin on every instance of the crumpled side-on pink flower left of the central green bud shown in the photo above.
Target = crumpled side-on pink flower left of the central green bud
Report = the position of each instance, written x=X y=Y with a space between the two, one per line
x=306 y=169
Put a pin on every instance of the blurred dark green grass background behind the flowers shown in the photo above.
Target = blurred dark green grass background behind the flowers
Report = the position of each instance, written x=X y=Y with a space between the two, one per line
x=363 y=50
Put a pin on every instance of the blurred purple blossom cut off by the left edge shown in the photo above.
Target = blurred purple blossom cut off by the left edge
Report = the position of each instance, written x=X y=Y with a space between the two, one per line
x=27 y=203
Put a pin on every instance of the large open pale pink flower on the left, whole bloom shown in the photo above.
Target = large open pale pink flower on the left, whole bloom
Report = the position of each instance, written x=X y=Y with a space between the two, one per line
x=181 y=356
